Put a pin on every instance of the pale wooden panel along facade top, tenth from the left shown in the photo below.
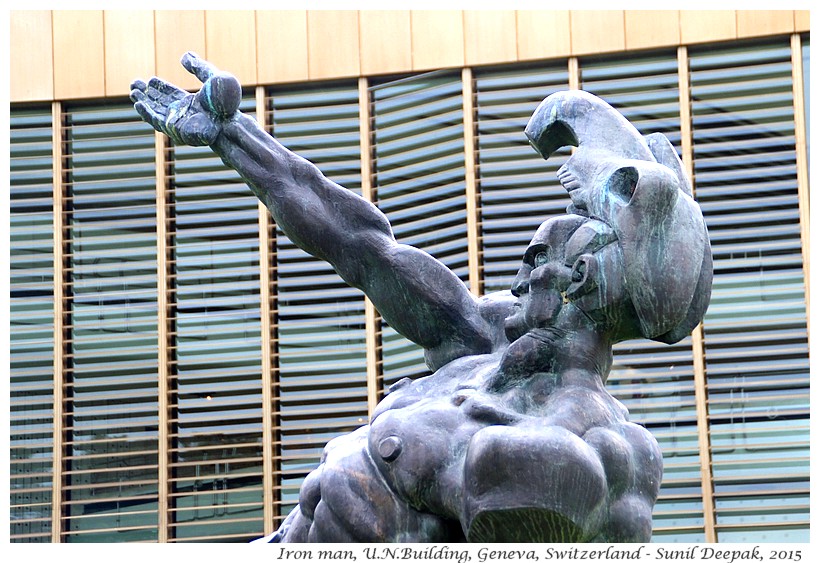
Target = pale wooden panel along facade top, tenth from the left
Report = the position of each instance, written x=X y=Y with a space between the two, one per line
x=490 y=36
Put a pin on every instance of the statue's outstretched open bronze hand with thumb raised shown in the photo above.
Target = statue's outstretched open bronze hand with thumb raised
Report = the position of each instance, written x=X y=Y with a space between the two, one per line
x=189 y=119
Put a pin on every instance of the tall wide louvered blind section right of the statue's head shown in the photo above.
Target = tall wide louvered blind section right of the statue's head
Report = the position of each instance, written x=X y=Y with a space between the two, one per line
x=755 y=329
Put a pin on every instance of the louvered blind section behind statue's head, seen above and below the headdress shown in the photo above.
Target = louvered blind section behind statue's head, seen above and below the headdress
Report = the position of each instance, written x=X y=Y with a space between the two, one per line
x=656 y=381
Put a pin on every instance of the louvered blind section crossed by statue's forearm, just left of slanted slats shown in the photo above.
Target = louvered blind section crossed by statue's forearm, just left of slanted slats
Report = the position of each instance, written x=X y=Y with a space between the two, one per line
x=322 y=391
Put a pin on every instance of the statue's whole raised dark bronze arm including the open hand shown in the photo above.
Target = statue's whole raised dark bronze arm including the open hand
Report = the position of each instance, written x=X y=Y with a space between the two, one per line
x=419 y=296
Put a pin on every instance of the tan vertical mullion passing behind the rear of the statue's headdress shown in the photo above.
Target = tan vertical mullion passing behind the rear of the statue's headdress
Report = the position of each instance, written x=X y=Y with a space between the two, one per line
x=698 y=344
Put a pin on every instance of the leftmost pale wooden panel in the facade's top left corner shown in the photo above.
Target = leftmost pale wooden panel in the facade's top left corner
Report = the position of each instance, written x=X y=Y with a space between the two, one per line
x=31 y=63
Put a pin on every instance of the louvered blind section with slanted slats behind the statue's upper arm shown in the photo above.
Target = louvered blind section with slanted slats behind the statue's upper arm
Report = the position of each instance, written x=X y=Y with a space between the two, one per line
x=418 y=150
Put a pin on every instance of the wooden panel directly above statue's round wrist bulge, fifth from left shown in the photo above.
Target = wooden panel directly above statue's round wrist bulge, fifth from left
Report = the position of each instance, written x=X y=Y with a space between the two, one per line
x=230 y=39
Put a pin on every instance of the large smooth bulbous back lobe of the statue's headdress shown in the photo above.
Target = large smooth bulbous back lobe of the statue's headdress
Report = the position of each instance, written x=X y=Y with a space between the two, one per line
x=664 y=242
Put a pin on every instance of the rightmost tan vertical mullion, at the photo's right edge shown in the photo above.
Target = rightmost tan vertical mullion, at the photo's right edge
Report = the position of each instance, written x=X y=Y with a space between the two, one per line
x=801 y=150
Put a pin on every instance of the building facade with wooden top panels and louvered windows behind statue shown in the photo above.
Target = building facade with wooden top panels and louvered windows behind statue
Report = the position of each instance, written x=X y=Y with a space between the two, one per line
x=177 y=364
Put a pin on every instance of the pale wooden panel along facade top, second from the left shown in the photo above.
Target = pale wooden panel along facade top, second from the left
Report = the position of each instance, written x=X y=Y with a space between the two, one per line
x=79 y=69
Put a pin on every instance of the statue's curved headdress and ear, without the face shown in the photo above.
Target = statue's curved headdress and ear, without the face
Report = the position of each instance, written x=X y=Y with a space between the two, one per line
x=642 y=264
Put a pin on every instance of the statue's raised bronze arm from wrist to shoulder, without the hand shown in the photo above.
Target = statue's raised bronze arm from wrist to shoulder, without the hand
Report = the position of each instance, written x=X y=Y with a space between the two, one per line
x=420 y=297
